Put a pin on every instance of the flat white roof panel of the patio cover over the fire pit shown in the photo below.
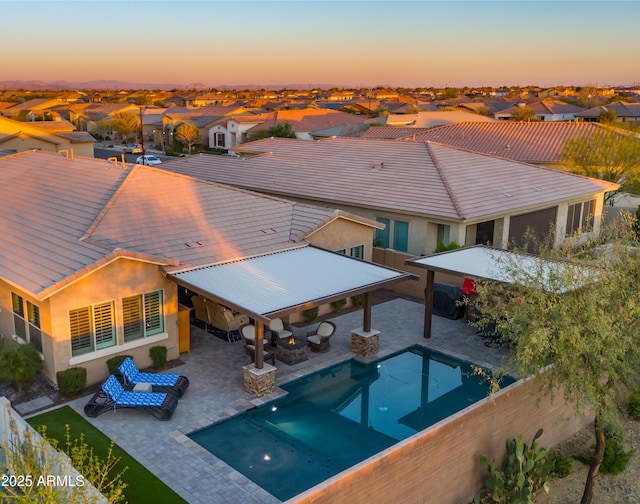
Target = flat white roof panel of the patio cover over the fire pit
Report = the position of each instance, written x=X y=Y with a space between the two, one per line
x=278 y=284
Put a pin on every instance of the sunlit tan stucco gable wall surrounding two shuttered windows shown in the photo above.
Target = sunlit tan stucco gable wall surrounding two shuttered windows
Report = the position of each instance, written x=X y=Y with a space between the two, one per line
x=117 y=280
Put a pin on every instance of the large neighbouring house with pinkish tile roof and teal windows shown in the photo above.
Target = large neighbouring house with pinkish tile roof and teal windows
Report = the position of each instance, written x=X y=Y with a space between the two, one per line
x=423 y=192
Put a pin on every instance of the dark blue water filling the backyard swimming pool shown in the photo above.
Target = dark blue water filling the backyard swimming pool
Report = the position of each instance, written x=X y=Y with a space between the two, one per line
x=337 y=417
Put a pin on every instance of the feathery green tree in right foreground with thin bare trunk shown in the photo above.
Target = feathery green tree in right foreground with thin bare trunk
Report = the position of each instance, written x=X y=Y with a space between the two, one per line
x=579 y=321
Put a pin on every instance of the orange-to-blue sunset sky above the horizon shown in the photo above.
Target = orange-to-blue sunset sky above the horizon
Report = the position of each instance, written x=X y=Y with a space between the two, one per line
x=360 y=43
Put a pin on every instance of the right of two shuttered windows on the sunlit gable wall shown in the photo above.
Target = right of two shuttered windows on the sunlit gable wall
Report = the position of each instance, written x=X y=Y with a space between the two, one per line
x=142 y=315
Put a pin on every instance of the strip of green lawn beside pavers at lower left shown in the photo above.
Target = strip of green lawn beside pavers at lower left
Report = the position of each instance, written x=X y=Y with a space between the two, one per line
x=142 y=486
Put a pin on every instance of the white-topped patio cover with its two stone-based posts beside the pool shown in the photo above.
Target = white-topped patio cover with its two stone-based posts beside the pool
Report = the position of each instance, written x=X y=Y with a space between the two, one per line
x=275 y=285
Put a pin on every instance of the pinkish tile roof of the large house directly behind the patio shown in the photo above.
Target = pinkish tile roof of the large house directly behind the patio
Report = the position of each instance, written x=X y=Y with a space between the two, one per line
x=411 y=177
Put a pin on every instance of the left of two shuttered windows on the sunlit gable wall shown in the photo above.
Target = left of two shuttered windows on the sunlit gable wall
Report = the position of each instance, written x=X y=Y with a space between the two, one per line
x=92 y=328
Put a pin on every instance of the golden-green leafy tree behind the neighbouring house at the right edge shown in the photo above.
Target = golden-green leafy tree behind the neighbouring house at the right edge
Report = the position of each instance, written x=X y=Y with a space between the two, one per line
x=608 y=155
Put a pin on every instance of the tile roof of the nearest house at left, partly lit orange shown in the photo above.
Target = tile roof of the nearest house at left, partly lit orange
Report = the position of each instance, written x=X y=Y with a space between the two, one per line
x=64 y=217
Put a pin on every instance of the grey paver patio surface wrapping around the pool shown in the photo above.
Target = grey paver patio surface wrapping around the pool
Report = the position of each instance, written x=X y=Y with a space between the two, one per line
x=214 y=369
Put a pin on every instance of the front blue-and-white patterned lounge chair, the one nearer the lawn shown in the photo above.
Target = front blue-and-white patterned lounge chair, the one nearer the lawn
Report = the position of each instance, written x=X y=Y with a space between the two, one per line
x=112 y=395
